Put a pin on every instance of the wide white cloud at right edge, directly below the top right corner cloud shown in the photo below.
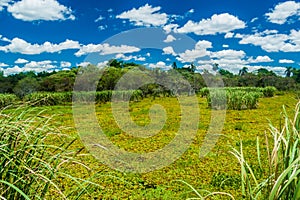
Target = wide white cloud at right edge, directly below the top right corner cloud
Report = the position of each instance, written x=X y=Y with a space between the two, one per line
x=271 y=41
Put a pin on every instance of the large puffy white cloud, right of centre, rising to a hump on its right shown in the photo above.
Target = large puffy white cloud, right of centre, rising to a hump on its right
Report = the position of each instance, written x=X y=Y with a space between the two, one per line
x=221 y=23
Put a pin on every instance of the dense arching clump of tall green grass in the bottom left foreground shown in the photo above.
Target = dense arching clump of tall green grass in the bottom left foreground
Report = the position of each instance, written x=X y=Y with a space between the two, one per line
x=29 y=161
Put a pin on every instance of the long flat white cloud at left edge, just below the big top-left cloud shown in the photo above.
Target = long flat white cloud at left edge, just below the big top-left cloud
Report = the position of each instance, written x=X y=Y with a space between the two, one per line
x=18 y=45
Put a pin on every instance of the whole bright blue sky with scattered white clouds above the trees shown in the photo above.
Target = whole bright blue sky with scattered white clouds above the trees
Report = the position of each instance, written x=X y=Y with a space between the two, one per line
x=47 y=35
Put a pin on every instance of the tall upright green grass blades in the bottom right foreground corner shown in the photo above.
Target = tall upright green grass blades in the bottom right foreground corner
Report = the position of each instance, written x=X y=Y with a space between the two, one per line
x=281 y=176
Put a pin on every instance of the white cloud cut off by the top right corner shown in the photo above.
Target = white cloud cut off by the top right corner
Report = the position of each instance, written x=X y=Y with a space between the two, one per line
x=283 y=11
